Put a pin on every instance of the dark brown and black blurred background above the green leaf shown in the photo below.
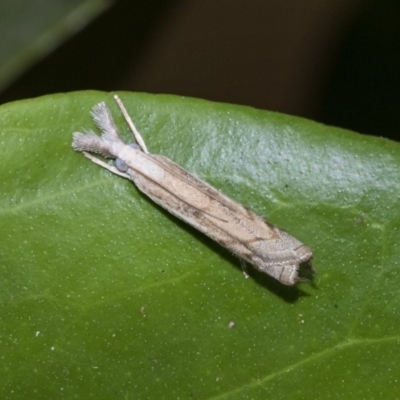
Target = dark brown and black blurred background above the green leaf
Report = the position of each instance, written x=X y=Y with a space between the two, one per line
x=335 y=61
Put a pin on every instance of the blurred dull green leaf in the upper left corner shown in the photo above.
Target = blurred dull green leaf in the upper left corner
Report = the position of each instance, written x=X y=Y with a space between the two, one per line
x=29 y=30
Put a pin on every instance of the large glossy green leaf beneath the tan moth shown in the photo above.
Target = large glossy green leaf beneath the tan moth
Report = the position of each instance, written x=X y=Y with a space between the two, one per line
x=105 y=295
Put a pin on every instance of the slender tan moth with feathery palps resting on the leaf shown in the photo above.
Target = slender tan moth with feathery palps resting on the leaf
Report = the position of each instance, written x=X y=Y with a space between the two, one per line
x=249 y=236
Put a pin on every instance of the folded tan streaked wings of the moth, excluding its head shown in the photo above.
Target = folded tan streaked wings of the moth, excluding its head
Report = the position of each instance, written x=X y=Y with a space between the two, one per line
x=268 y=248
